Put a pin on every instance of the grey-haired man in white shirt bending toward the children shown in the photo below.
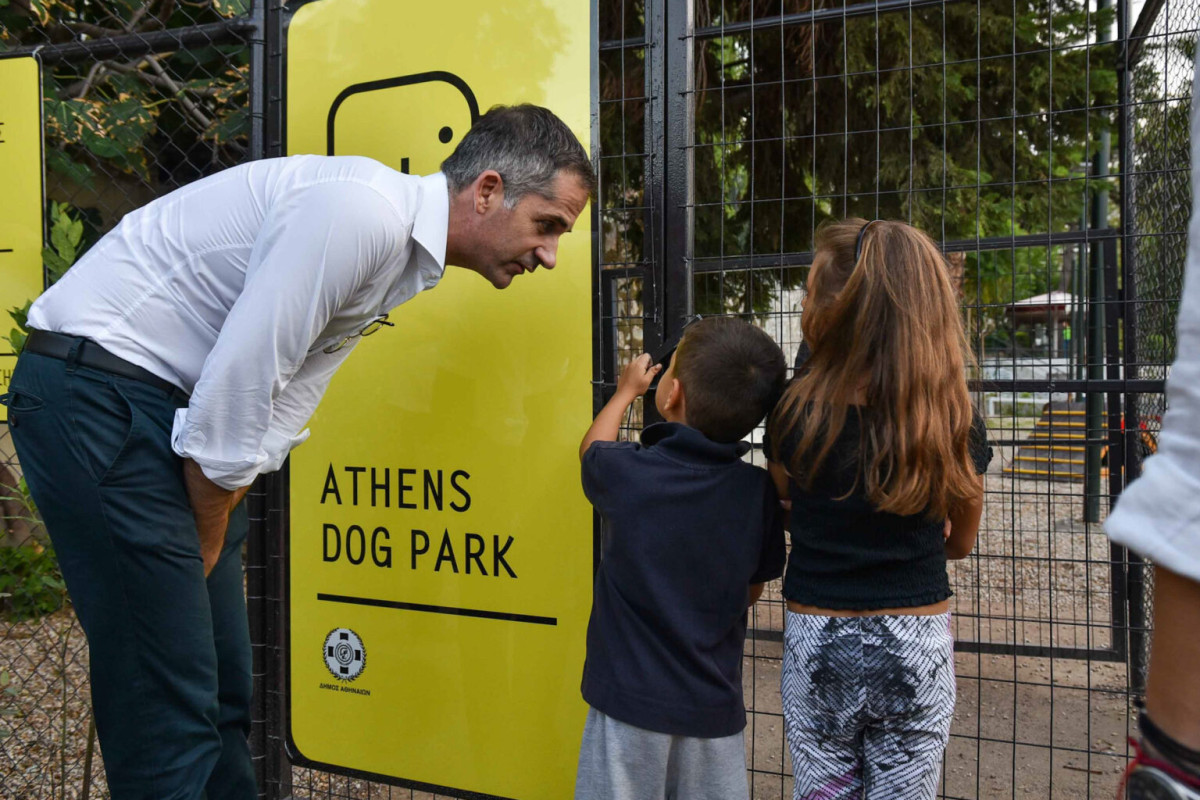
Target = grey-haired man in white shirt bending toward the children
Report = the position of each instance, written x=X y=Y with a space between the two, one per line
x=183 y=356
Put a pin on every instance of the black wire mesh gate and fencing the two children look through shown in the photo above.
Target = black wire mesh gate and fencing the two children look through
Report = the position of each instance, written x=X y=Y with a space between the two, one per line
x=995 y=127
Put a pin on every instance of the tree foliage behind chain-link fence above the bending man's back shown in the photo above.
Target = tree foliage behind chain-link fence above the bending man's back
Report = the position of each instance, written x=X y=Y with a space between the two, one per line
x=122 y=131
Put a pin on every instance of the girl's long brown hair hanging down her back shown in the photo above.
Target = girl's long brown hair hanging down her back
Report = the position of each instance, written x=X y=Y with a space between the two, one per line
x=886 y=326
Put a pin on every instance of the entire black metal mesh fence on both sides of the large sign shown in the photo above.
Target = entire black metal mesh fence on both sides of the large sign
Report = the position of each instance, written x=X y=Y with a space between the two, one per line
x=1045 y=145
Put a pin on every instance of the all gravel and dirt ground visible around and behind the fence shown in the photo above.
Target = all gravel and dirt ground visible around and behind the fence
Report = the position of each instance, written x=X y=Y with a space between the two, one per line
x=1025 y=727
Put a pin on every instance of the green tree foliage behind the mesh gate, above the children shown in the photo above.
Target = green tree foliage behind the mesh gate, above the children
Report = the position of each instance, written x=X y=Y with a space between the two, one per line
x=968 y=119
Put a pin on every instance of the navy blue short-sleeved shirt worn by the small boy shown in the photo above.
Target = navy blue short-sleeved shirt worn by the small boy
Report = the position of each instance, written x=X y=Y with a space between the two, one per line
x=687 y=528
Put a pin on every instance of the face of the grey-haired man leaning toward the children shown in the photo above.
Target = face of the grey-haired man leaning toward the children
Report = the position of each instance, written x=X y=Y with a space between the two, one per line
x=518 y=240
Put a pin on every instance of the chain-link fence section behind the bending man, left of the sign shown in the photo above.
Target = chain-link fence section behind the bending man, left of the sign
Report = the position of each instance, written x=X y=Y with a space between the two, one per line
x=139 y=99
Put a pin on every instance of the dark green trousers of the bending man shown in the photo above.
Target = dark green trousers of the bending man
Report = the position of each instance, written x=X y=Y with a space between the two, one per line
x=170 y=651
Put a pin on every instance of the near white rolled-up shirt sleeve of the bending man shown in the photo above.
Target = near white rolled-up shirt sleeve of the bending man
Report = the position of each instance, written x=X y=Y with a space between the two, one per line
x=260 y=384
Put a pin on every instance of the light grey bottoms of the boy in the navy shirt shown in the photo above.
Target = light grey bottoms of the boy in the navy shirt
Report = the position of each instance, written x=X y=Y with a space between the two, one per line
x=620 y=762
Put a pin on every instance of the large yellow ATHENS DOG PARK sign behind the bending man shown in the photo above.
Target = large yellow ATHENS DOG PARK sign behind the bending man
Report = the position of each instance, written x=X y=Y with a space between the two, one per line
x=441 y=546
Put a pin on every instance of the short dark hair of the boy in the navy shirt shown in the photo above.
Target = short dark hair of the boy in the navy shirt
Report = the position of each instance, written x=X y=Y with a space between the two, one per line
x=733 y=375
